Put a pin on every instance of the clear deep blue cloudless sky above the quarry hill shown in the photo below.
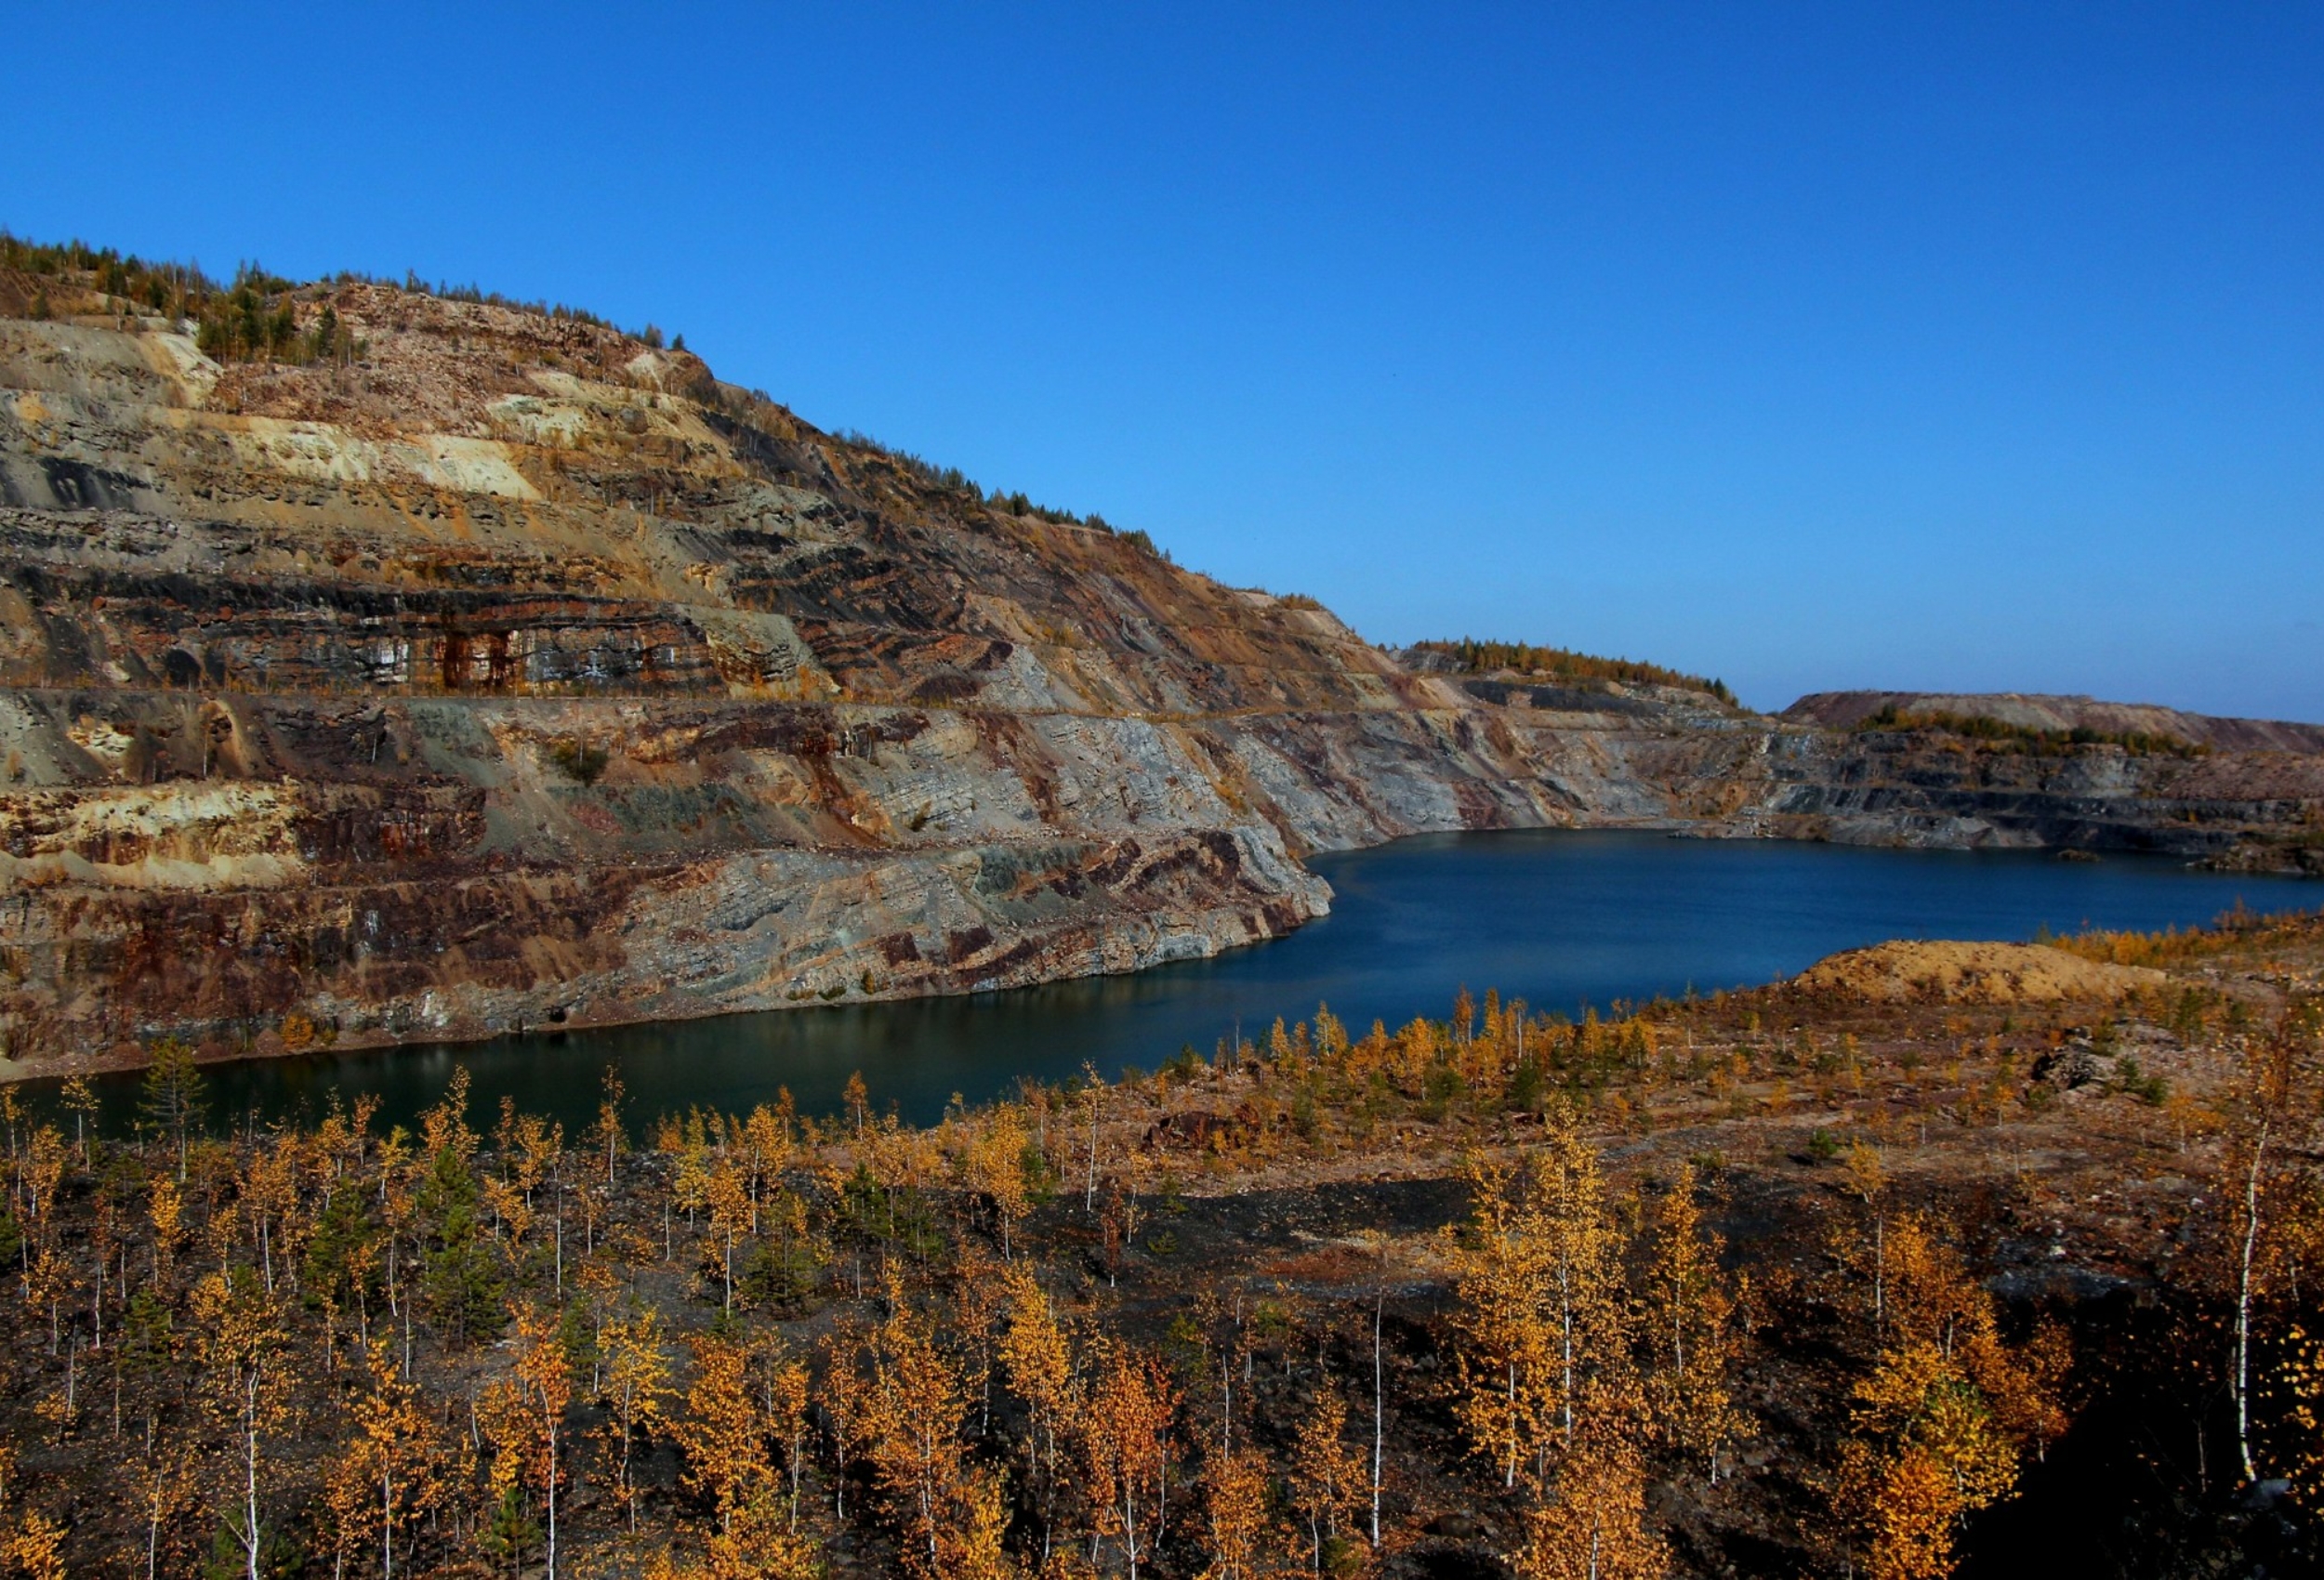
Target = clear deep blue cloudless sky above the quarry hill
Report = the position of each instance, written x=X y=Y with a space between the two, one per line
x=1858 y=345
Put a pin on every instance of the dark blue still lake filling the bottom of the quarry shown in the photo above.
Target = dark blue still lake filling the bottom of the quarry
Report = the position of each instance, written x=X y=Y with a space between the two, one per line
x=1556 y=919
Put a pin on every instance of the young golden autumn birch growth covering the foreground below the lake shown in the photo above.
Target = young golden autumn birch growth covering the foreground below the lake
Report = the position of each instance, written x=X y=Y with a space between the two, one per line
x=1049 y=1337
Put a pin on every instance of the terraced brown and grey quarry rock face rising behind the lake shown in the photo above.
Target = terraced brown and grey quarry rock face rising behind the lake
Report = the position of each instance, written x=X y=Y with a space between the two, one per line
x=517 y=673
